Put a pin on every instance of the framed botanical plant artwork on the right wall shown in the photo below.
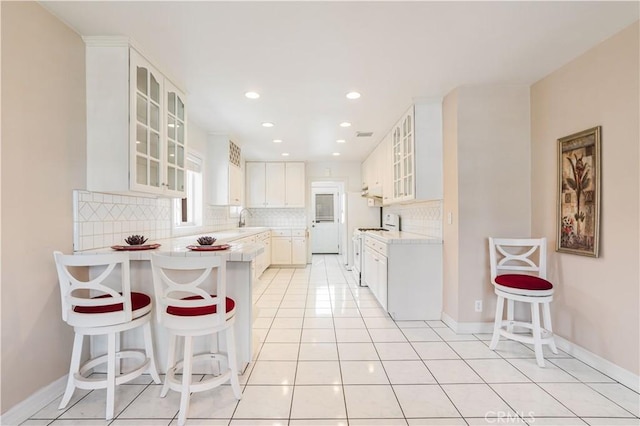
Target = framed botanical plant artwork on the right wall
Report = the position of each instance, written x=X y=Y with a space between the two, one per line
x=578 y=215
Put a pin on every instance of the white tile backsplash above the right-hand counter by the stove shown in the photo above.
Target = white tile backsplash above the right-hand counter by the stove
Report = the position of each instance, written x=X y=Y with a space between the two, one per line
x=424 y=217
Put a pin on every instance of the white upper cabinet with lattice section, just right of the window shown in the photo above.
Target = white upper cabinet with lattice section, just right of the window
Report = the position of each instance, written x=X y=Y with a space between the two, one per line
x=224 y=171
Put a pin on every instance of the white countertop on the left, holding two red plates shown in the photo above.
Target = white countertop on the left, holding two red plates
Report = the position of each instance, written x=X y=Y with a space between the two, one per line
x=238 y=252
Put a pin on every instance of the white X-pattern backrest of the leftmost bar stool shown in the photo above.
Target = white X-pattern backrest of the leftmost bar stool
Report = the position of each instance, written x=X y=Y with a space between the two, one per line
x=81 y=302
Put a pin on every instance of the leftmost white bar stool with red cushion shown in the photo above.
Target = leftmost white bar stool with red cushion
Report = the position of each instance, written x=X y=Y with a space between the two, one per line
x=103 y=306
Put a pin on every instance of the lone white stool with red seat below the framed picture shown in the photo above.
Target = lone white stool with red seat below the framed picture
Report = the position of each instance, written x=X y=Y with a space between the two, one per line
x=519 y=274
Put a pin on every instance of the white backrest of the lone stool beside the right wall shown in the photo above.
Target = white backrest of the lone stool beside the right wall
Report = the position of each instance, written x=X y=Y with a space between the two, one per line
x=518 y=255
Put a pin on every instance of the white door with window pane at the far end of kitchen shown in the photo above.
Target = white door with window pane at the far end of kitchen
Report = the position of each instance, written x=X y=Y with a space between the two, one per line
x=325 y=225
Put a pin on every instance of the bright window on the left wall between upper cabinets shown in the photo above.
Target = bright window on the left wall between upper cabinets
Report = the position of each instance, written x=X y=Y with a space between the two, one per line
x=188 y=211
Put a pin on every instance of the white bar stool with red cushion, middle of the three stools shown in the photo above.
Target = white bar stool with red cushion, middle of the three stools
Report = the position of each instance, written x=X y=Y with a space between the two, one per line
x=186 y=308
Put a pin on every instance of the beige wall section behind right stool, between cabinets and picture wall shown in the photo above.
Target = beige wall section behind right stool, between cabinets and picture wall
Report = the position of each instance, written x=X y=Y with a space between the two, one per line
x=487 y=182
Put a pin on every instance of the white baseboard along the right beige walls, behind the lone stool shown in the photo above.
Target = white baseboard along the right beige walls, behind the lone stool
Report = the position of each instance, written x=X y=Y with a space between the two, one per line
x=612 y=370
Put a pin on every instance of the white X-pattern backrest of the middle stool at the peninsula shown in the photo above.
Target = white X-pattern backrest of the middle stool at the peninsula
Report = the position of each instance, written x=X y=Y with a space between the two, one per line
x=179 y=282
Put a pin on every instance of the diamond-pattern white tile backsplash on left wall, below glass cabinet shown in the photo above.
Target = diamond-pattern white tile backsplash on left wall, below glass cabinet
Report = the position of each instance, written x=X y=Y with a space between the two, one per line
x=102 y=220
